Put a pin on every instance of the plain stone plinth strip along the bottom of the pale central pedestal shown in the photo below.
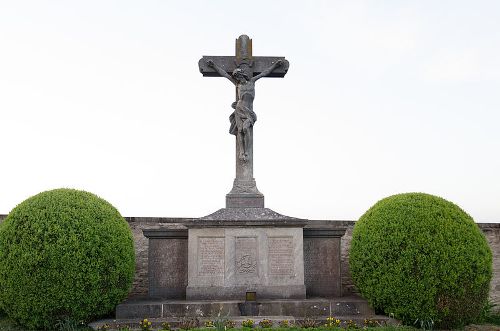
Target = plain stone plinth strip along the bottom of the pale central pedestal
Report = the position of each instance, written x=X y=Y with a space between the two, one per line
x=239 y=292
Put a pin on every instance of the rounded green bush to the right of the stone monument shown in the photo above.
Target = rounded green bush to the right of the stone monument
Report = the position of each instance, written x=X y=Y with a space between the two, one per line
x=422 y=259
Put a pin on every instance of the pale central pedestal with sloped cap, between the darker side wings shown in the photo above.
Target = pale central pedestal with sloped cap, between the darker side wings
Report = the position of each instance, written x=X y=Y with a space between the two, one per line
x=240 y=250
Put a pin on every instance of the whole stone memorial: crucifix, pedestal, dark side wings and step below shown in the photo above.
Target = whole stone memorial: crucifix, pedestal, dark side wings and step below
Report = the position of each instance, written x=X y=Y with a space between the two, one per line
x=243 y=251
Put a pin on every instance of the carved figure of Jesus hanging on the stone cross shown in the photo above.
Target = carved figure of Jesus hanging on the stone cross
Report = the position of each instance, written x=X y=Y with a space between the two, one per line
x=243 y=117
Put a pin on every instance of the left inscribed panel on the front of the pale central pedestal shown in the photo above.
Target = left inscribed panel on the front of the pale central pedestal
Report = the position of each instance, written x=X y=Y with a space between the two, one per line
x=210 y=256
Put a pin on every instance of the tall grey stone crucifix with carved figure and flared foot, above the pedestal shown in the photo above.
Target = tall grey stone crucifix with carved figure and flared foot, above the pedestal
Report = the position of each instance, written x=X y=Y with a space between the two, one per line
x=243 y=70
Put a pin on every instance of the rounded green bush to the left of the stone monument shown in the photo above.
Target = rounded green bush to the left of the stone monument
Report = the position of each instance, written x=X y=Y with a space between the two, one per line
x=64 y=254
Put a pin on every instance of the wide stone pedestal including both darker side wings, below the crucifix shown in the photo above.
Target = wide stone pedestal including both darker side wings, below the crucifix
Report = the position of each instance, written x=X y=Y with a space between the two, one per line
x=234 y=251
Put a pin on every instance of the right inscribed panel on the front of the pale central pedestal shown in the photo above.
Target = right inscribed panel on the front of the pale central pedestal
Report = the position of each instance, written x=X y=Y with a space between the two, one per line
x=281 y=257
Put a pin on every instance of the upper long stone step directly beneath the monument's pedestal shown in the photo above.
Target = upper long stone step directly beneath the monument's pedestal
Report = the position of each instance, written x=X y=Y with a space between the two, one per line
x=299 y=308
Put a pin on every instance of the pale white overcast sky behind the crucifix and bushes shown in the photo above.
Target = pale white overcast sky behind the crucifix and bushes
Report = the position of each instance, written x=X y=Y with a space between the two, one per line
x=381 y=97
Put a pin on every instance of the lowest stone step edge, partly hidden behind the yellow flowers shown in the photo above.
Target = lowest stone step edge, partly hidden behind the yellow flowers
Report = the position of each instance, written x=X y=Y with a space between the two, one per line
x=133 y=323
